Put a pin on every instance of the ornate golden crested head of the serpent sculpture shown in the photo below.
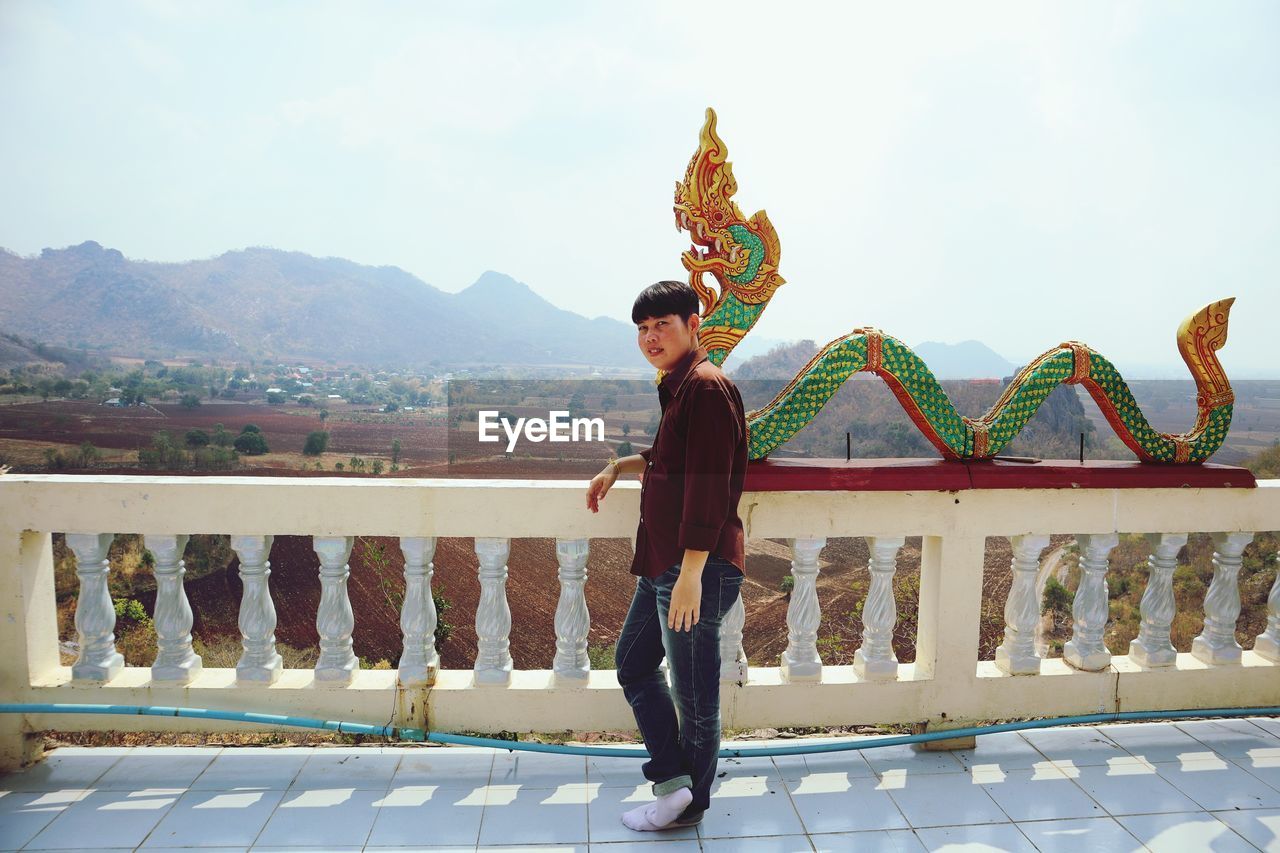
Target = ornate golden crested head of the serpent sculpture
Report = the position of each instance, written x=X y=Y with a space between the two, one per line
x=742 y=254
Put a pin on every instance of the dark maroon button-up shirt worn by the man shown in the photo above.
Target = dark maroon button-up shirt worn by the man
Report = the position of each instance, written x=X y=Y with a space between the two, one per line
x=694 y=472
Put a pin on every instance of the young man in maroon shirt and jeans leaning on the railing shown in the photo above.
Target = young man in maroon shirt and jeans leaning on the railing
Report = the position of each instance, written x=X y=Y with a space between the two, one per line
x=689 y=558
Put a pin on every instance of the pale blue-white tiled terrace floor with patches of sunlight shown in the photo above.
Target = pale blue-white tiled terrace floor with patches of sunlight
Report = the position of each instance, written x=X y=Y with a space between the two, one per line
x=1213 y=786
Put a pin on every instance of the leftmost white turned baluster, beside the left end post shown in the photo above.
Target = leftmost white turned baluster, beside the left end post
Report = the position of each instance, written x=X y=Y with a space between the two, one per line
x=95 y=613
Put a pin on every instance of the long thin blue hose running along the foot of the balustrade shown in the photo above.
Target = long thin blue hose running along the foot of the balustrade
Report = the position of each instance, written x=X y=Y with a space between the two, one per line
x=397 y=733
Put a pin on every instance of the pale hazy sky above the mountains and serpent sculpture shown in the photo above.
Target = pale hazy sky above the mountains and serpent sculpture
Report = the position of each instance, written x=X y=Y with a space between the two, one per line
x=1022 y=174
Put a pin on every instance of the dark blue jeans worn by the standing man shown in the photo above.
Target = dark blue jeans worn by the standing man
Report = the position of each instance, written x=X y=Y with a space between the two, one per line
x=684 y=755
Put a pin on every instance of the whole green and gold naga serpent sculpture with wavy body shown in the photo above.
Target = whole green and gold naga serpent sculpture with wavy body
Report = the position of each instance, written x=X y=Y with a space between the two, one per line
x=743 y=257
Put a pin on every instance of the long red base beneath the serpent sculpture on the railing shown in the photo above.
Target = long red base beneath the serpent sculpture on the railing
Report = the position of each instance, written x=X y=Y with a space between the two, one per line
x=936 y=475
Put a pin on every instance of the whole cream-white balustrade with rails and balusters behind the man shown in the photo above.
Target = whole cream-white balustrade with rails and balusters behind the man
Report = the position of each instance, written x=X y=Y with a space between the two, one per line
x=947 y=686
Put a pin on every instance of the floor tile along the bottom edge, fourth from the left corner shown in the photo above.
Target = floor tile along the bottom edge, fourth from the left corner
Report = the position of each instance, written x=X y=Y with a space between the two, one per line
x=336 y=816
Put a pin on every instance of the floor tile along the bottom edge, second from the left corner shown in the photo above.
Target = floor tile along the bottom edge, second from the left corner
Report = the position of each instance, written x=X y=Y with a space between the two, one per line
x=109 y=818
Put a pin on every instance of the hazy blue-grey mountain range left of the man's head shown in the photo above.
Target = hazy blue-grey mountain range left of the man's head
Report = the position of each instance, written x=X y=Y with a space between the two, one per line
x=272 y=304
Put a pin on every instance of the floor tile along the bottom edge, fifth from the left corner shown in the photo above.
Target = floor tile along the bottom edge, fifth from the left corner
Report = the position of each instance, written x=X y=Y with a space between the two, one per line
x=427 y=815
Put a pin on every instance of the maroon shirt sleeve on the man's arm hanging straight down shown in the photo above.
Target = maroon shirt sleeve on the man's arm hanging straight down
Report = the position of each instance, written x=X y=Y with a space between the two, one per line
x=710 y=448
